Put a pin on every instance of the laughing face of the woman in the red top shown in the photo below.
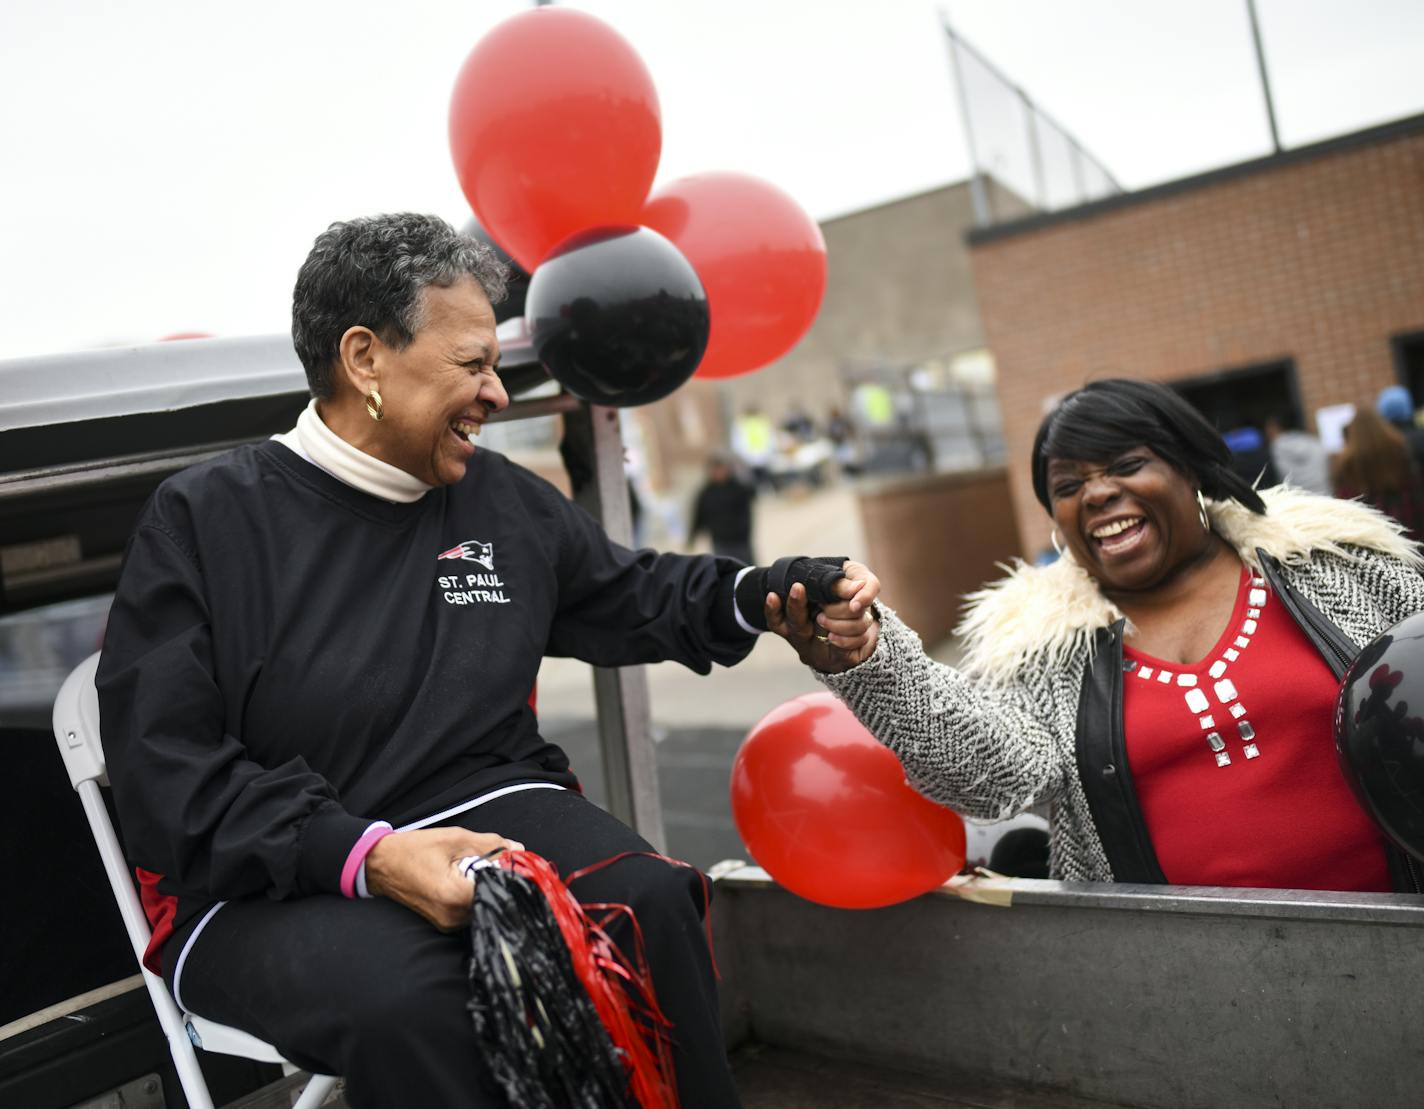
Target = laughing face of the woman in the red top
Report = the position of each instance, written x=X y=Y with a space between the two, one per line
x=1131 y=522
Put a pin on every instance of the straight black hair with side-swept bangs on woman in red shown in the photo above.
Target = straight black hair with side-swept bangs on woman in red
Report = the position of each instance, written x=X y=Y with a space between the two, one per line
x=1104 y=419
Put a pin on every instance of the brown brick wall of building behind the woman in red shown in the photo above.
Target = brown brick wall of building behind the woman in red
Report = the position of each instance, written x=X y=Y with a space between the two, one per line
x=1316 y=256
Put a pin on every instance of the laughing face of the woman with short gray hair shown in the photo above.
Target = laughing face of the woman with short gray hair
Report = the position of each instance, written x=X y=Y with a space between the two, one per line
x=441 y=389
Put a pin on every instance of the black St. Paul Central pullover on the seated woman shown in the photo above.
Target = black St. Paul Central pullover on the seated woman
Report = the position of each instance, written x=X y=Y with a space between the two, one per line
x=290 y=658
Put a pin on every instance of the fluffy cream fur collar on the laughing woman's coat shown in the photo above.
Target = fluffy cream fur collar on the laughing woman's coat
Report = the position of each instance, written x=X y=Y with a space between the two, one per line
x=1059 y=609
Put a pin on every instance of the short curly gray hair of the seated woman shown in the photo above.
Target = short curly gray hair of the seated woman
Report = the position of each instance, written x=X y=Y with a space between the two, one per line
x=374 y=273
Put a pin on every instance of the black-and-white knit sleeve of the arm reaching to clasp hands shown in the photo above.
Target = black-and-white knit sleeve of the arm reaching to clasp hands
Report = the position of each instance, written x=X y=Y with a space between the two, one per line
x=985 y=751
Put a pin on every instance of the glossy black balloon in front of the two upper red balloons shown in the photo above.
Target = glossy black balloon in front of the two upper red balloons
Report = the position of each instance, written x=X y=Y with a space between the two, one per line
x=619 y=317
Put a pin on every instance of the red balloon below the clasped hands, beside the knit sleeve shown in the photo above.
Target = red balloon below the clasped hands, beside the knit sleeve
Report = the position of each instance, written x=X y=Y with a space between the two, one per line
x=825 y=811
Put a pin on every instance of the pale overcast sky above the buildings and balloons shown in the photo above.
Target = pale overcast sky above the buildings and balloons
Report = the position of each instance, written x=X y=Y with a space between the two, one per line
x=166 y=166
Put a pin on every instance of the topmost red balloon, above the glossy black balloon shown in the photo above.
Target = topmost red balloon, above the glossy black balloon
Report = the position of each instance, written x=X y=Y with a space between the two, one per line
x=555 y=127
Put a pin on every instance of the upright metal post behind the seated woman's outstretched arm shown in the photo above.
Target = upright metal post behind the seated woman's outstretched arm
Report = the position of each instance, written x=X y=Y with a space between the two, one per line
x=622 y=695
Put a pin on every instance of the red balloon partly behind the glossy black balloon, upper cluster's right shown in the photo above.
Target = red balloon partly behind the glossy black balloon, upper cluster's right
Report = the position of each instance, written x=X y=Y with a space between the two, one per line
x=761 y=260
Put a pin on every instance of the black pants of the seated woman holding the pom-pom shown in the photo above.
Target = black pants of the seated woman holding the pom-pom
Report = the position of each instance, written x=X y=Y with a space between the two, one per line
x=371 y=992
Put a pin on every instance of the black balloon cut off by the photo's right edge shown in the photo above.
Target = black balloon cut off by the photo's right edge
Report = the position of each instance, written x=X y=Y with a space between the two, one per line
x=1381 y=732
